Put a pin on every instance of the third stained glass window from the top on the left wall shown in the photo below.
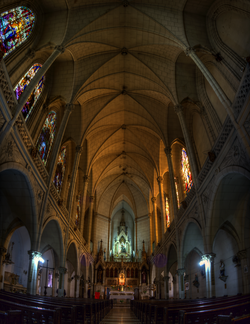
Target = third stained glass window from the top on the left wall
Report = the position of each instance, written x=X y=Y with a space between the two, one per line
x=46 y=138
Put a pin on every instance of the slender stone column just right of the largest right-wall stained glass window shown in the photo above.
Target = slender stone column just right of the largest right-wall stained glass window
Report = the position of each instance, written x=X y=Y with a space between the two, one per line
x=179 y=111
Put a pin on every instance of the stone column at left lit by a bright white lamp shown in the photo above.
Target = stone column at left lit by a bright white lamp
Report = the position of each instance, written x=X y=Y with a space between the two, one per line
x=32 y=273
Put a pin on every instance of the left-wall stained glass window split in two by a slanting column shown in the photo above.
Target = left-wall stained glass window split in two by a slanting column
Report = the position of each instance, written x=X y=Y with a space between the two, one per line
x=23 y=83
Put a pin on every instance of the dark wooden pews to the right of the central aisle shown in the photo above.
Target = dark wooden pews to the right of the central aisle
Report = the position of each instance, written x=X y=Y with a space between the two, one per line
x=212 y=310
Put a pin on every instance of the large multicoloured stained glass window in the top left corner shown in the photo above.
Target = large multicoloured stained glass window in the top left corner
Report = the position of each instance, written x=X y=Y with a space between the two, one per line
x=16 y=26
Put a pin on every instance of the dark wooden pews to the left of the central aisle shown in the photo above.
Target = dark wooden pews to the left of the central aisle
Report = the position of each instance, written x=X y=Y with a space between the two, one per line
x=16 y=308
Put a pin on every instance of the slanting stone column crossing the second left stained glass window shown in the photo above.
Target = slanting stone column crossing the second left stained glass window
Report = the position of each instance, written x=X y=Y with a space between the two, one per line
x=28 y=90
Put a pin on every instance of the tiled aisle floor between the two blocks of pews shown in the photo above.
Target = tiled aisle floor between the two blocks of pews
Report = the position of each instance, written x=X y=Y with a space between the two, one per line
x=120 y=315
